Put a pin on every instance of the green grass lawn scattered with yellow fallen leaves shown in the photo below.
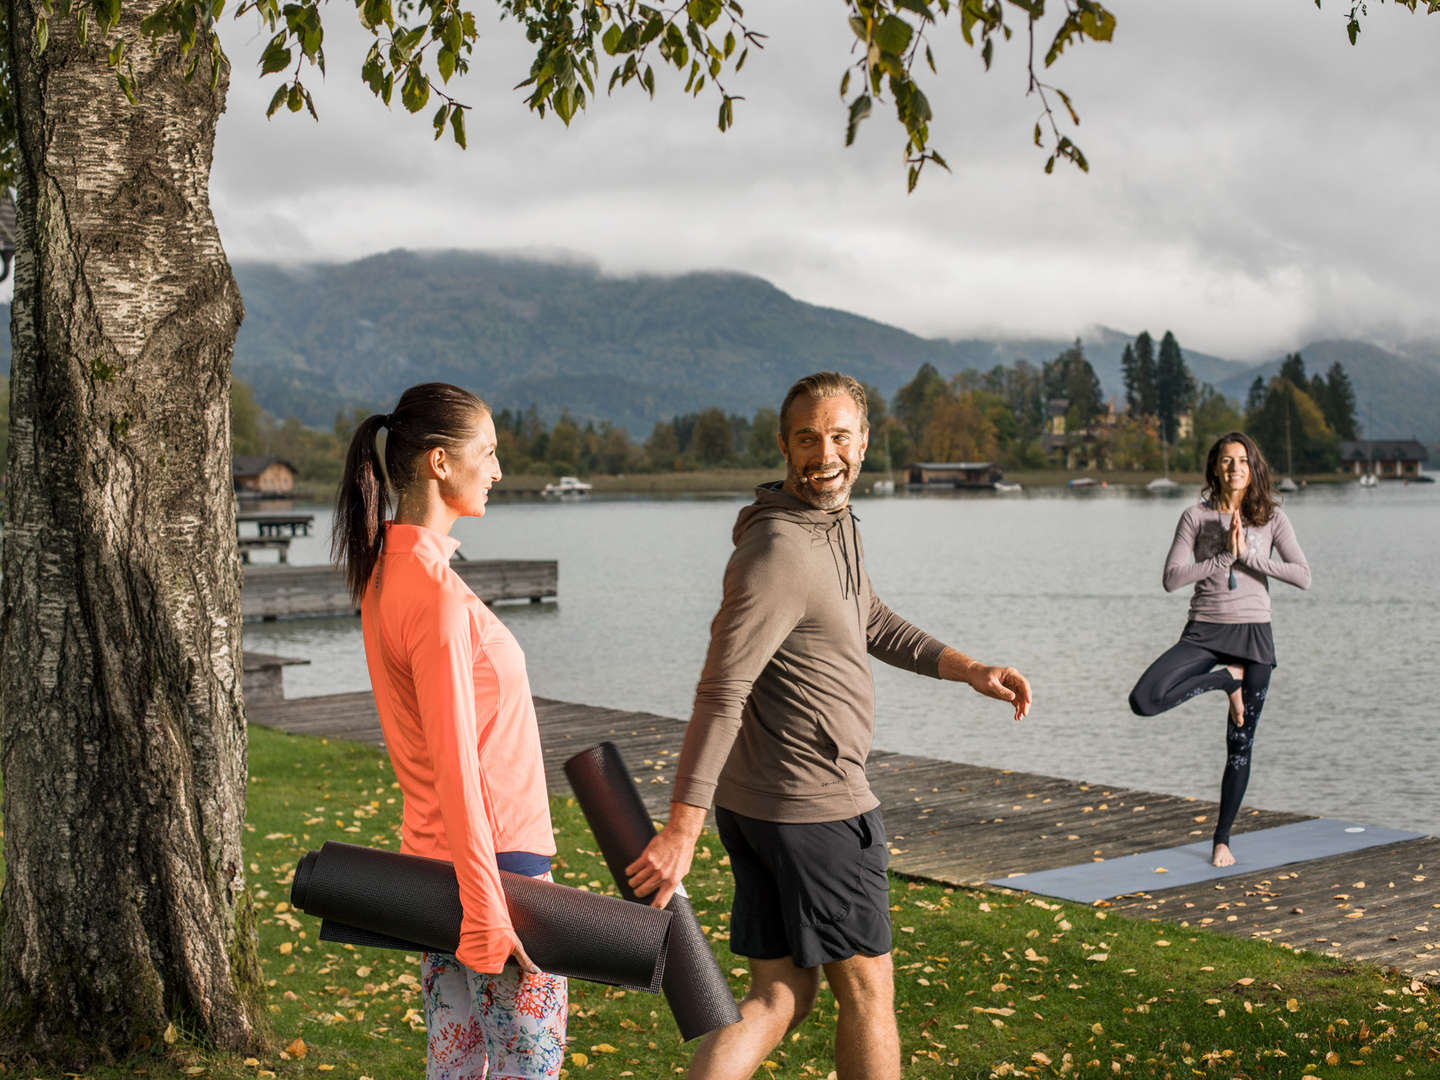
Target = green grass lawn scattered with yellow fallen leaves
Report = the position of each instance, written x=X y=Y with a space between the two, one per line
x=989 y=984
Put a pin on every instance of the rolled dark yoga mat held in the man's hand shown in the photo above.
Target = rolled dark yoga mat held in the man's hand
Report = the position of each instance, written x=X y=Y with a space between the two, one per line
x=695 y=987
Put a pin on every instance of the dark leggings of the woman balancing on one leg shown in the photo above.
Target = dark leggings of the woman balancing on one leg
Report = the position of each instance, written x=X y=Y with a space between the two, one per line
x=1186 y=670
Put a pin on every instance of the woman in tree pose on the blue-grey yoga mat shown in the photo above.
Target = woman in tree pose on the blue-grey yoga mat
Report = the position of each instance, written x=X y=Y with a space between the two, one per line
x=1228 y=546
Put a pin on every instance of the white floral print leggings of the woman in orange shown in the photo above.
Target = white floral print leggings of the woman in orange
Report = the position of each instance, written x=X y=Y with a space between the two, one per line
x=492 y=1027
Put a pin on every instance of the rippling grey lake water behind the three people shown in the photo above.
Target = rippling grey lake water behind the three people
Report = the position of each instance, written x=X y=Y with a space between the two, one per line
x=1063 y=585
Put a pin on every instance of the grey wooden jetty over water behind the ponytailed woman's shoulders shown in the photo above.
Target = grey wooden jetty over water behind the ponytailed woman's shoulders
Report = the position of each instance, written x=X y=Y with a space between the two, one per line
x=274 y=593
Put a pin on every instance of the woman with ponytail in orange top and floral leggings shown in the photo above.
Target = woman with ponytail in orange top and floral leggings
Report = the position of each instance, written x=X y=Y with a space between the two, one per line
x=454 y=702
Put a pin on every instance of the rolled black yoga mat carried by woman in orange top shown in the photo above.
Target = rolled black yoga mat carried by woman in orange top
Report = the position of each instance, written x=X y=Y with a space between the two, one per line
x=390 y=901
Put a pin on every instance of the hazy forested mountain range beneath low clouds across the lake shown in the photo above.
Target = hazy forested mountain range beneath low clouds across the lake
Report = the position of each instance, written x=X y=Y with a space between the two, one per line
x=633 y=351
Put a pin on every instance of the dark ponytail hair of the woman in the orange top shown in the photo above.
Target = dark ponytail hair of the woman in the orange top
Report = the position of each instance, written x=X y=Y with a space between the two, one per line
x=427 y=417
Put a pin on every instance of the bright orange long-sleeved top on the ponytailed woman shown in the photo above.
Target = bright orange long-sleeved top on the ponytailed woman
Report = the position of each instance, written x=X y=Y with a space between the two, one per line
x=454 y=701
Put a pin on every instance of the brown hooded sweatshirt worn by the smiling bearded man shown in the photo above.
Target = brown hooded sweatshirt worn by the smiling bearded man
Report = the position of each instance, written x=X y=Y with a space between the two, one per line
x=786 y=708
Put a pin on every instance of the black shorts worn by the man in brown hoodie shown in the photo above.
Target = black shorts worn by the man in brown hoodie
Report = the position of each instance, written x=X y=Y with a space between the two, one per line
x=814 y=892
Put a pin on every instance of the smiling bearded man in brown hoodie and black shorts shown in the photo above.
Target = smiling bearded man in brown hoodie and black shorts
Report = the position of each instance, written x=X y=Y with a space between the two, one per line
x=778 y=742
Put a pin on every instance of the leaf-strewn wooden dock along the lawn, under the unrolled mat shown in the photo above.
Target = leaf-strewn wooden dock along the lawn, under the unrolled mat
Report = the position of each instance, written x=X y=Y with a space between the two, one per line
x=966 y=824
